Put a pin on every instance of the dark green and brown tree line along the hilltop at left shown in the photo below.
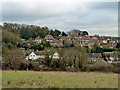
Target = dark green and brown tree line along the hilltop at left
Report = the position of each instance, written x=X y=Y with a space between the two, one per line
x=31 y=31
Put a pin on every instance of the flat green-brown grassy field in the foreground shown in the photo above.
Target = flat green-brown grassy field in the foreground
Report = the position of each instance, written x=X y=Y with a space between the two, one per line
x=31 y=79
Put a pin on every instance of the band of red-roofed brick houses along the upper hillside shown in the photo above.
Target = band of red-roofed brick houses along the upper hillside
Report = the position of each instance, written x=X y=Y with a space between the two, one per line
x=81 y=41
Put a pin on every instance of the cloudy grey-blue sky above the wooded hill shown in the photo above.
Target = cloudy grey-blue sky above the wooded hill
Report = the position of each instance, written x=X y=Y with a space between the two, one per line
x=65 y=15
